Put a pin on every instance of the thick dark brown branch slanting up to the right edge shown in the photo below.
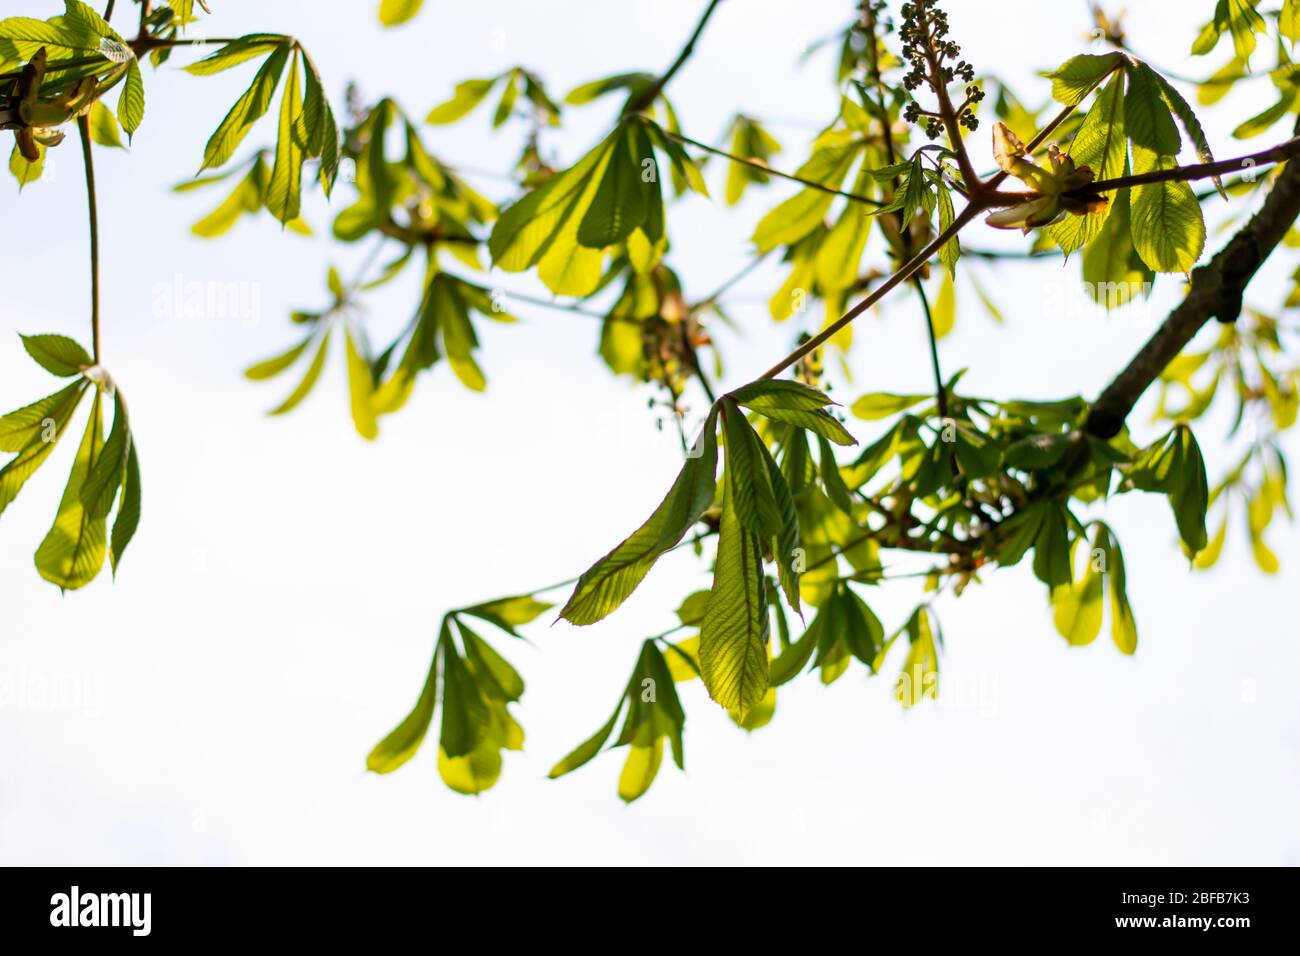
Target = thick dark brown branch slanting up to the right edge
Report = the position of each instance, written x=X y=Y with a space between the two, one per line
x=1216 y=292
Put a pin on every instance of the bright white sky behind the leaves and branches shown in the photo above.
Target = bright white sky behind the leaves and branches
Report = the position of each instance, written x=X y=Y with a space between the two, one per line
x=276 y=615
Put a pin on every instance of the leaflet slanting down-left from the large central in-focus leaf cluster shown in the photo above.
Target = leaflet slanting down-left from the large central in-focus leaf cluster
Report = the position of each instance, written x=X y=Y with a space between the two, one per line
x=609 y=583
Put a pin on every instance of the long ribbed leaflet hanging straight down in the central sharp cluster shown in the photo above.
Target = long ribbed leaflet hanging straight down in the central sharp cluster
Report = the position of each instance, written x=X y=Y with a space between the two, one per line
x=734 y=638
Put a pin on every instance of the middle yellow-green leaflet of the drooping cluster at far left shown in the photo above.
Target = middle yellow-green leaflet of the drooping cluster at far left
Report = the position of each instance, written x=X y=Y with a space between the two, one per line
x=75 y=550
